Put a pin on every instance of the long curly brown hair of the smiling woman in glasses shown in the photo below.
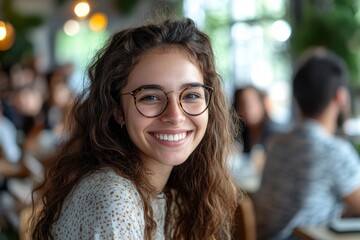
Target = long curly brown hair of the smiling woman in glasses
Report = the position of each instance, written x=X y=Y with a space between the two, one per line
x=200 y=189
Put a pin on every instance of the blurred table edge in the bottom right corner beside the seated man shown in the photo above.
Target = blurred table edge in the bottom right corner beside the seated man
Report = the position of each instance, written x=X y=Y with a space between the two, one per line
x=323 y=233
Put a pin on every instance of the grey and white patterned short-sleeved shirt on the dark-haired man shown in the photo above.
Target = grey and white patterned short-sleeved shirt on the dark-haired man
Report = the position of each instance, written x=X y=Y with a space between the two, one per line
x=307 y=173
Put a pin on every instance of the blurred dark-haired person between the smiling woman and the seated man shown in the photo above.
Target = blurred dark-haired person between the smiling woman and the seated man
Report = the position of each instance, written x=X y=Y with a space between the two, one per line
x=252 y=106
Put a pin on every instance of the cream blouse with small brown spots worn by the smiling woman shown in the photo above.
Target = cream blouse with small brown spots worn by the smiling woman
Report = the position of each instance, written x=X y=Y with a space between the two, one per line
x=106 y=206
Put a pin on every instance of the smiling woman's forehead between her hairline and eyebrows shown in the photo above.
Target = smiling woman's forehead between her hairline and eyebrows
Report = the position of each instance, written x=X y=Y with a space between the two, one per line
x=169 y=67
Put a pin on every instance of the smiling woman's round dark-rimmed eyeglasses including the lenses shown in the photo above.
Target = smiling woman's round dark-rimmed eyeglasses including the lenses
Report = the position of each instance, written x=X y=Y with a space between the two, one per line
x=151 y=101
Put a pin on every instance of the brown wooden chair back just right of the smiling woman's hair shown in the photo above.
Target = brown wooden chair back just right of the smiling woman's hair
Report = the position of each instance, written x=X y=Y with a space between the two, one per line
x=245 y=222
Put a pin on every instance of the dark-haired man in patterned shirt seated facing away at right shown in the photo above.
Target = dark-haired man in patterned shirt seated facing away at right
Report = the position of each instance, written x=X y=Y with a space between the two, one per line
x=310 y=173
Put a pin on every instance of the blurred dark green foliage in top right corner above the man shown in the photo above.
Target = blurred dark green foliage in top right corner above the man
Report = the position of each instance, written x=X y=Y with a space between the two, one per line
x=333 y=26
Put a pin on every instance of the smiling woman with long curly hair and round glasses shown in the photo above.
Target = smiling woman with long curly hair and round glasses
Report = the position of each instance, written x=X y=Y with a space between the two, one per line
x=147 y=153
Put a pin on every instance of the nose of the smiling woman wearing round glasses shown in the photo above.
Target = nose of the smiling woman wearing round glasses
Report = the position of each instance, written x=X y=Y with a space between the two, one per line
x=173 y=112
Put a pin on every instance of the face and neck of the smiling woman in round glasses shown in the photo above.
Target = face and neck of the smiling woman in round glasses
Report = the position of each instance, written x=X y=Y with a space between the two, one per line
x=171 y=69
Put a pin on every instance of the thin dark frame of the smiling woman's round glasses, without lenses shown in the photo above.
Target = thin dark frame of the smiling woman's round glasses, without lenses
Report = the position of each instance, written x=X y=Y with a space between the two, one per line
x=139 y=89
